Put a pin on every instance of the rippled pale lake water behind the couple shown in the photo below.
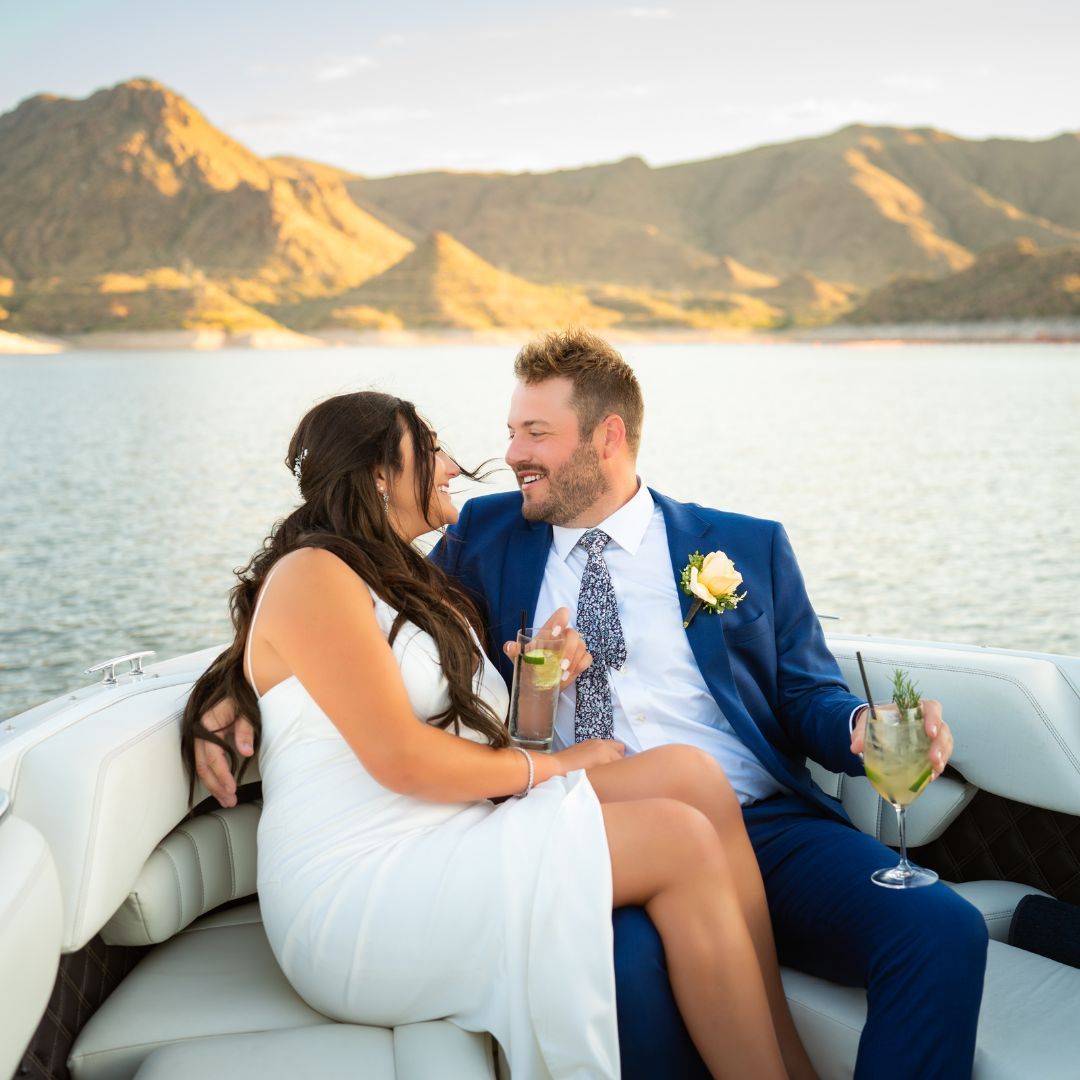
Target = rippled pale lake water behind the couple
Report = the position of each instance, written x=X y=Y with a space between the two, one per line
x=929 y=492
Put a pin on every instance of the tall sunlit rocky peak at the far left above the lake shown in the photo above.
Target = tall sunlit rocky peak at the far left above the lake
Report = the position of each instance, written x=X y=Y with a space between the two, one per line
x=136 y=179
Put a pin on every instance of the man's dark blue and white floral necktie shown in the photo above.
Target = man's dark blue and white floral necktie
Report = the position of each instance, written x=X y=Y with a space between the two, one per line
x=599 y=625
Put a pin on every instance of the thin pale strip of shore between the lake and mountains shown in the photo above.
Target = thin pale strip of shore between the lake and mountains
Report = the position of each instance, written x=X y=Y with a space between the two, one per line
x=1027 y=332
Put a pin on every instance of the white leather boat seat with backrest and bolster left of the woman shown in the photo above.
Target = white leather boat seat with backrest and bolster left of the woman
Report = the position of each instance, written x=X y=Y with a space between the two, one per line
x=100 y=793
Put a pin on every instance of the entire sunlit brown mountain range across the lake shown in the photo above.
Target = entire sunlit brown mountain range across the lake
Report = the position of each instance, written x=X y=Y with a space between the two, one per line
x=129 y=210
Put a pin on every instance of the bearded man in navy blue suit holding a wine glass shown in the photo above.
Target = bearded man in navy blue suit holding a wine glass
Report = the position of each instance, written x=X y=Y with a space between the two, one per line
x=757 y=687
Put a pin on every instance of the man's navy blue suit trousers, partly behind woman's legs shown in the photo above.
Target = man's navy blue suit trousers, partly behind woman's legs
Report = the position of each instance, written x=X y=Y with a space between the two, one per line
x=921 y=954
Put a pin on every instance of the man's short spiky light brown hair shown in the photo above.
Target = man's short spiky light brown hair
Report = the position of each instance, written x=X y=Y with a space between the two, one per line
x=603 y=382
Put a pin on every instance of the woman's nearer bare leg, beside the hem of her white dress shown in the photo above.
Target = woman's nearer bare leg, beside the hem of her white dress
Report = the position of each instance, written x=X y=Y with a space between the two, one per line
x=667 y=857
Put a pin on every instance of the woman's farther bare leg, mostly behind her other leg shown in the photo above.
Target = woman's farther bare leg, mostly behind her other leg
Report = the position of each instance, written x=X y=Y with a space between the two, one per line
x=693 y=777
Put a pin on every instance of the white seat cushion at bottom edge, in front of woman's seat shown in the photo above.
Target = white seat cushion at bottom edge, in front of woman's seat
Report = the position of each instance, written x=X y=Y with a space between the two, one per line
x=331 y=1052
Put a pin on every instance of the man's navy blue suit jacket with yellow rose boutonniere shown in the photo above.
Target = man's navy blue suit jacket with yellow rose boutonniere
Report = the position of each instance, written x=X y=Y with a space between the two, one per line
x=766 y=664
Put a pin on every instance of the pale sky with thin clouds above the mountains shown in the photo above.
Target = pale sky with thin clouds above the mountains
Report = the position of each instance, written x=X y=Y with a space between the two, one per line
x=406 y=86
